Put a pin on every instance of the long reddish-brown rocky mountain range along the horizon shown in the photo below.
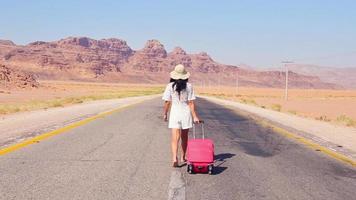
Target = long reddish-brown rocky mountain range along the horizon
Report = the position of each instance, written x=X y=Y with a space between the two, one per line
x=112 y=60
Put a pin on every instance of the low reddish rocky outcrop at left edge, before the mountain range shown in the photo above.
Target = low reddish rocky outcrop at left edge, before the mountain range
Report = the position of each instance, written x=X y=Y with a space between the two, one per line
x=10 y=78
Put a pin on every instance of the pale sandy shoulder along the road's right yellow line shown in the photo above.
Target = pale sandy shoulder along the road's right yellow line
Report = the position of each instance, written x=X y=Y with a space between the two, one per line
x=336 y=138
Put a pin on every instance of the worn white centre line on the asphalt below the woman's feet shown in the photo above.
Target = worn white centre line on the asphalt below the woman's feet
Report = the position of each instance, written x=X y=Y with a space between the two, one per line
x=176 y=189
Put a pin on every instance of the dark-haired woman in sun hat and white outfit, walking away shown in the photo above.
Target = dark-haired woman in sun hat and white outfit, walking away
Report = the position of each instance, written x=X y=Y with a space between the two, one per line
x=179 y=99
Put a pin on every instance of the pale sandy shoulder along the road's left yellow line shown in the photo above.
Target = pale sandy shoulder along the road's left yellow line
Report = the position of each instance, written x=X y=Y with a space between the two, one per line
x=19 y=126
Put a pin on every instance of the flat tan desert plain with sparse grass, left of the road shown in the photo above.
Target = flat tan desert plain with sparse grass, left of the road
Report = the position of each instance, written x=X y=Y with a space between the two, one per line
x=62 y=93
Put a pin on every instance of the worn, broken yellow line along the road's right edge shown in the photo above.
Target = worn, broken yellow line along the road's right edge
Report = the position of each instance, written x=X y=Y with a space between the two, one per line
x=302 y=140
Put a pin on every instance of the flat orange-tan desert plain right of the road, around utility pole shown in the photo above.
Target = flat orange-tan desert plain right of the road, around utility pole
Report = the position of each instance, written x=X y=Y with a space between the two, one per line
x=336 y=106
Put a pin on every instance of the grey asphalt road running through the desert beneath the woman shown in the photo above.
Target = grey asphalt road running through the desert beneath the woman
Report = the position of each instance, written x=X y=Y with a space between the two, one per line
x=126 y=155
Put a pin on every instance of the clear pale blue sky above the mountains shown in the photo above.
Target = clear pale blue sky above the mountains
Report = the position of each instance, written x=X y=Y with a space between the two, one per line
x=256 y=32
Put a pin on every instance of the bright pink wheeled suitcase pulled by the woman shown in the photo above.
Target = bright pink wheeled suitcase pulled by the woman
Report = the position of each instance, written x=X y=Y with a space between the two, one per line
x=200 y=154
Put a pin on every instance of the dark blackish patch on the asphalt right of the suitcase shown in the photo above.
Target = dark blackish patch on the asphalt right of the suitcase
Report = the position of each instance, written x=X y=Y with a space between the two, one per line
x=243 y=131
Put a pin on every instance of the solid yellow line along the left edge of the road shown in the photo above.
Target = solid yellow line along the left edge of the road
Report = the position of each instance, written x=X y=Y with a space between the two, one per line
x=43 y=136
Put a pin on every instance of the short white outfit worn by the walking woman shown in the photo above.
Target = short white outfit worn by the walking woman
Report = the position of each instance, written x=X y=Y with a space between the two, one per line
x=180 y=116
